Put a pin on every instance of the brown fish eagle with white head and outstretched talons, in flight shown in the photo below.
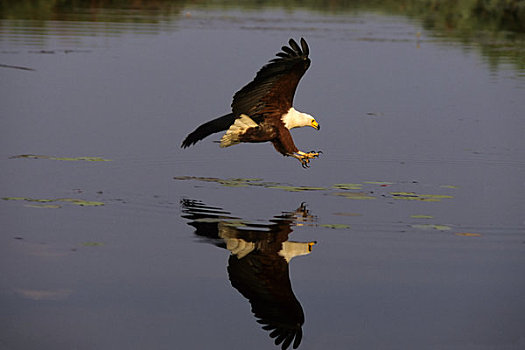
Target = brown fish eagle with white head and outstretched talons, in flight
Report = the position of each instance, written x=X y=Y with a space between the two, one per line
x=262 y=110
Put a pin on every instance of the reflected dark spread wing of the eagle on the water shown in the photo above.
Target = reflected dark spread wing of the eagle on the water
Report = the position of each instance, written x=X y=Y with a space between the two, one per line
x=264 y=281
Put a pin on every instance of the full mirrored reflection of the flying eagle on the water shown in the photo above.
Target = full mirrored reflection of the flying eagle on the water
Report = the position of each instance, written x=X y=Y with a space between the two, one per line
x=258 y=265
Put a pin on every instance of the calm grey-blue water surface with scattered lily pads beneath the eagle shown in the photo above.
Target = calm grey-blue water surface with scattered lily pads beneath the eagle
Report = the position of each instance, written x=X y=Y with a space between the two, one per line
x=416 y=204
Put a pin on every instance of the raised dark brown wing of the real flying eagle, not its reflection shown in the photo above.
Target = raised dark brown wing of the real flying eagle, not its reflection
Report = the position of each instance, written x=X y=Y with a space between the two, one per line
x=273 y=88
